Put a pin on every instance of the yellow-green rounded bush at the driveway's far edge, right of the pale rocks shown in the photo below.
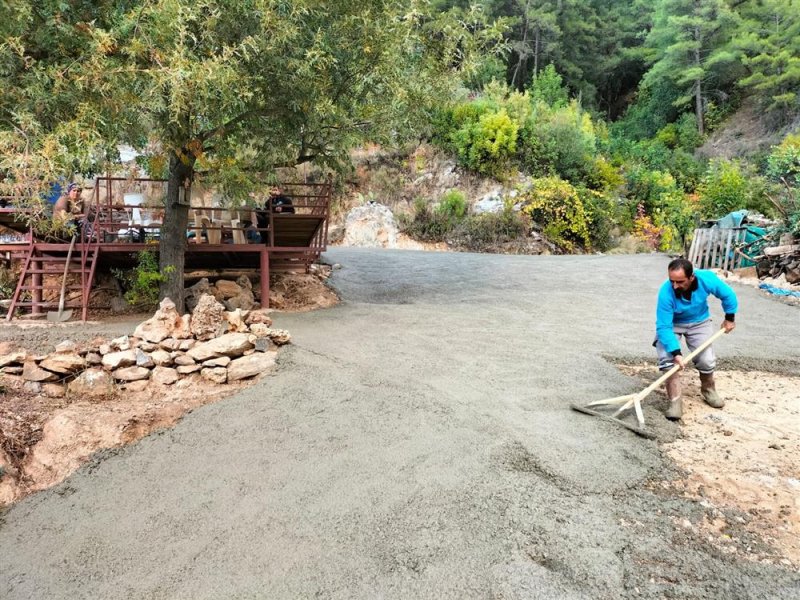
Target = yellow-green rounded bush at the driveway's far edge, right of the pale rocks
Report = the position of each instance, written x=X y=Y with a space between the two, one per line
x=556 y=205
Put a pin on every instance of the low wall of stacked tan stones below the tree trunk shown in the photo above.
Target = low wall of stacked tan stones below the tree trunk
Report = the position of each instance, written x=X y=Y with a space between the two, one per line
x=222 y=346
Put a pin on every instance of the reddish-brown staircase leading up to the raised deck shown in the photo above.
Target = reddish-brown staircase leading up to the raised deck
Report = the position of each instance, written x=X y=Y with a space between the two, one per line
x=39 y=285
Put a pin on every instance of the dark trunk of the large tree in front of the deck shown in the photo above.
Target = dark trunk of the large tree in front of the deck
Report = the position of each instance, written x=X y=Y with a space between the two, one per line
x=172 y=246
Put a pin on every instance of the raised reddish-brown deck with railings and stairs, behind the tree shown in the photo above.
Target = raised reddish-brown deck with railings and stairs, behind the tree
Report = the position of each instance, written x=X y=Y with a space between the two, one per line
x=218 y=239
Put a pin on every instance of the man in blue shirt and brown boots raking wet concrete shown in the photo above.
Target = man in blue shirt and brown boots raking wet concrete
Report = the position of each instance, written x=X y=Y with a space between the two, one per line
x=682 y=310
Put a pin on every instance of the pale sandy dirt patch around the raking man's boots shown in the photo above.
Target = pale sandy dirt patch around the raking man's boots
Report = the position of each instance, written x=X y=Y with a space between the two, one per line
x=744 y=457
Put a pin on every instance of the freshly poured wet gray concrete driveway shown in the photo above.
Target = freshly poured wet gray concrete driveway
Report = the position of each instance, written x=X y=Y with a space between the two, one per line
x=415 y=442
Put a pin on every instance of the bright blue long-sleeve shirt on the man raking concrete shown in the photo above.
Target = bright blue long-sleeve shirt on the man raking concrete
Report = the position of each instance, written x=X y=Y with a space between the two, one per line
x=672 y=310
